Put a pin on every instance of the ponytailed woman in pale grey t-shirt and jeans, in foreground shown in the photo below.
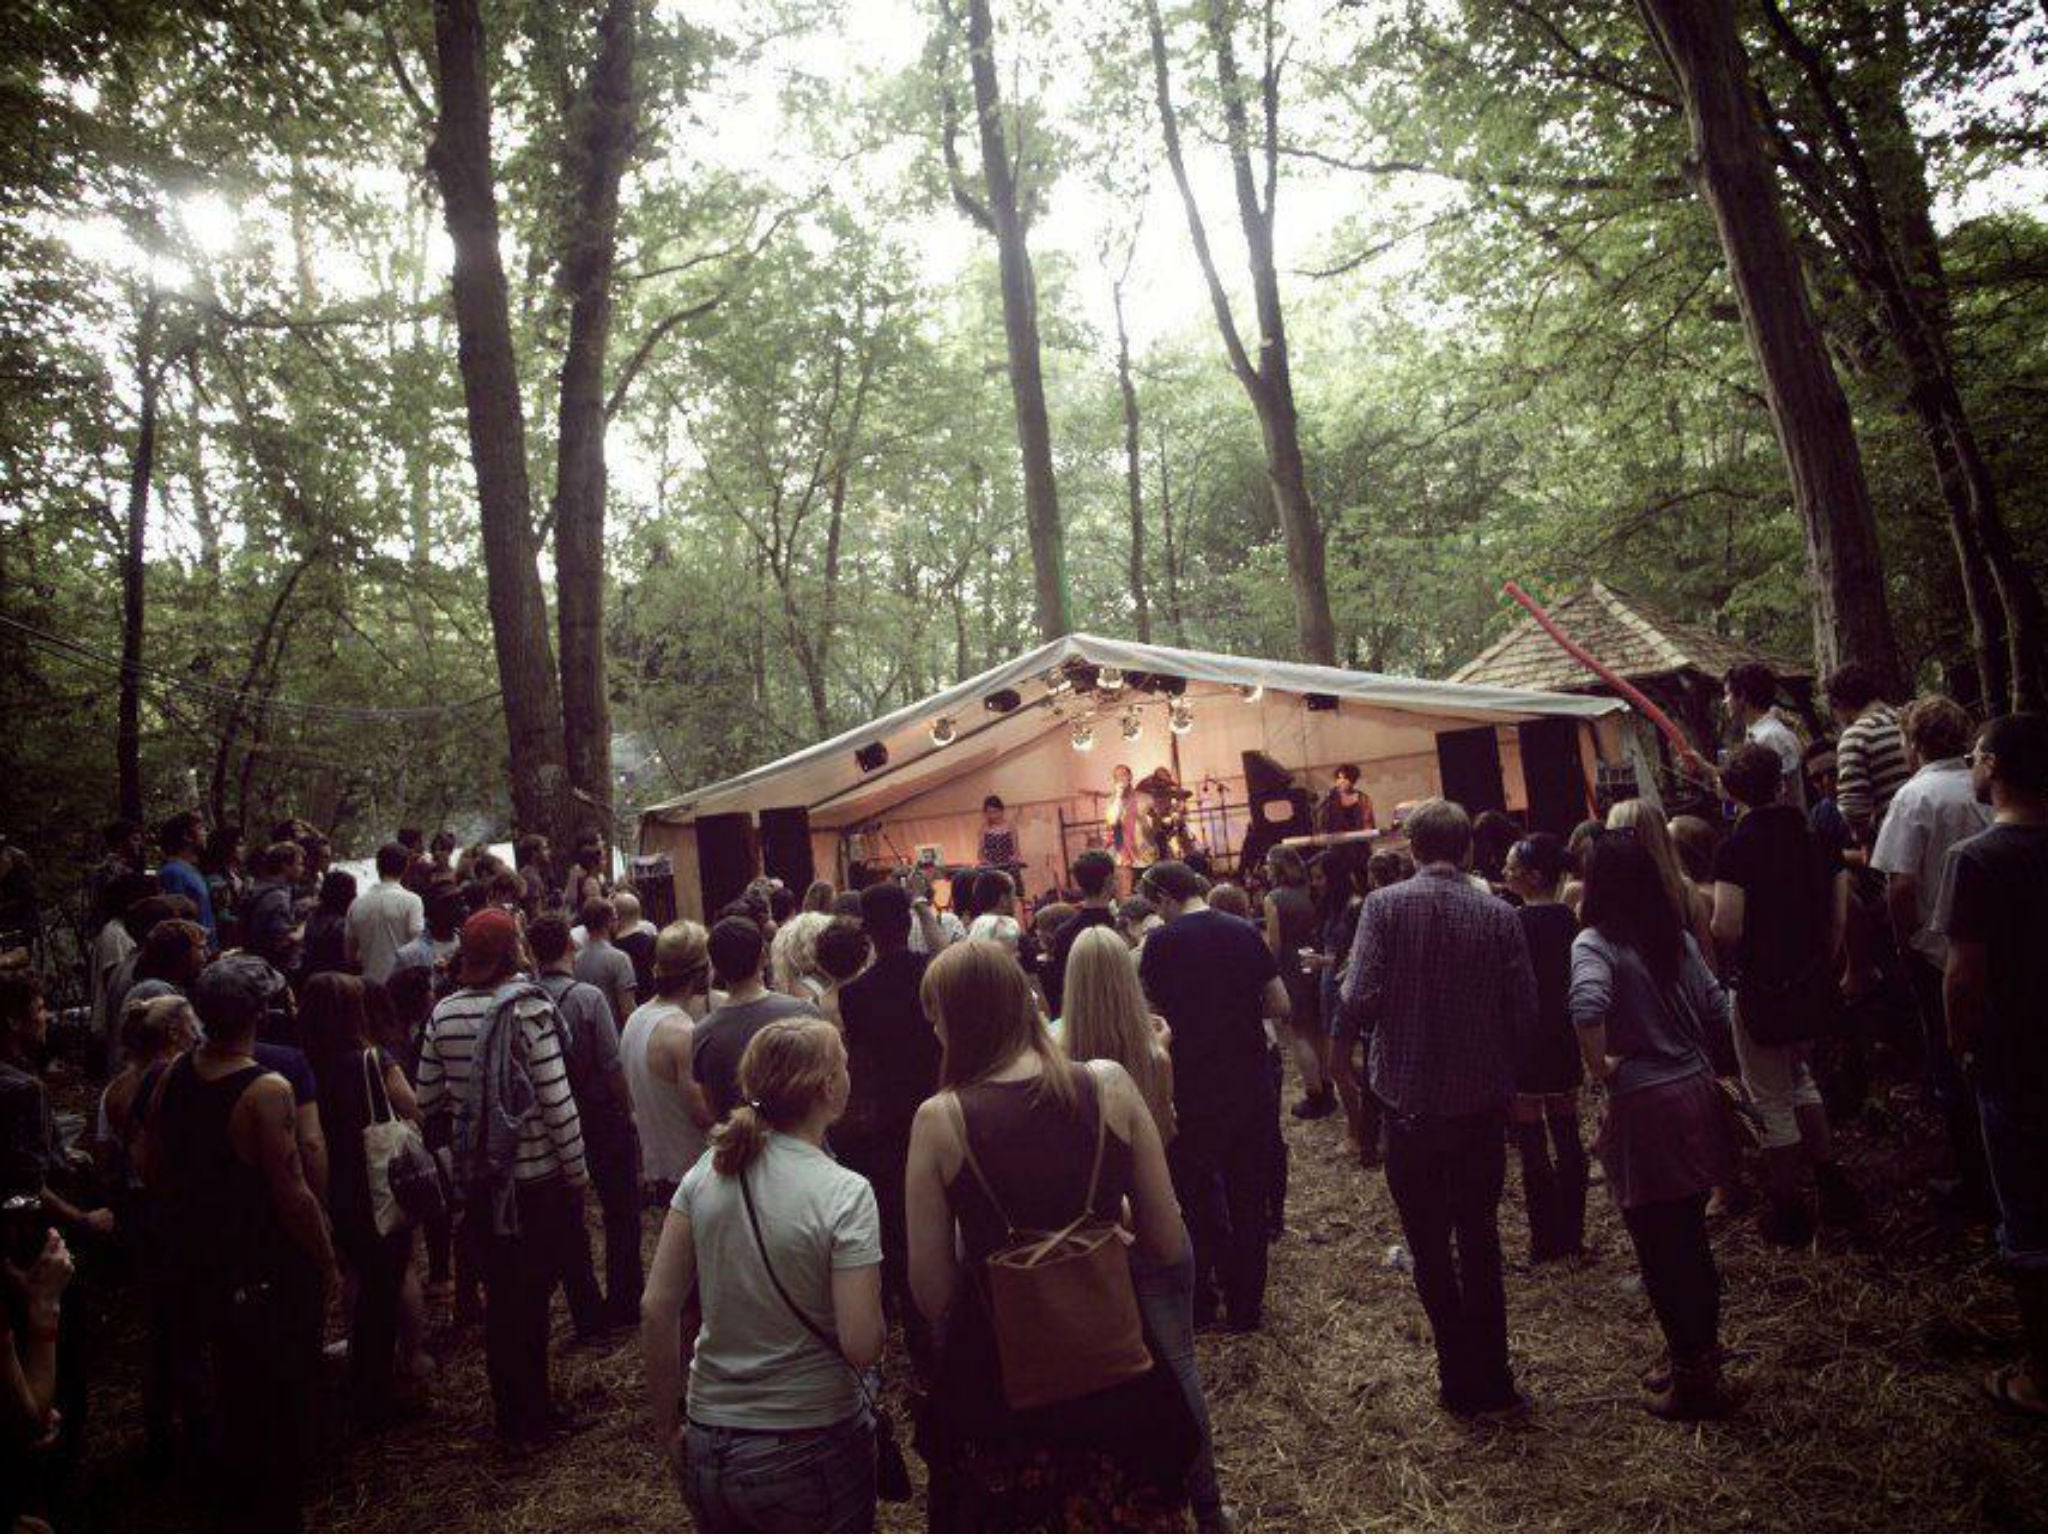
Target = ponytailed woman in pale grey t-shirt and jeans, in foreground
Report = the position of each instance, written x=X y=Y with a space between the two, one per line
x=785 y=1252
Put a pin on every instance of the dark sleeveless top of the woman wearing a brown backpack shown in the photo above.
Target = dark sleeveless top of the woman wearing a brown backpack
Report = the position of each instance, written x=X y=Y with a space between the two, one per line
x=1037 y=1158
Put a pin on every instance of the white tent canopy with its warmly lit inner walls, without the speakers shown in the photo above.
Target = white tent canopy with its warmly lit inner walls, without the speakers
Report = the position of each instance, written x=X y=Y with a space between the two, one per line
x=929 y=785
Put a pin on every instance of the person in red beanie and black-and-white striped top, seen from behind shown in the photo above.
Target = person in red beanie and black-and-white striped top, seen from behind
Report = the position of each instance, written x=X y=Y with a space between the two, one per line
x=550 y=1175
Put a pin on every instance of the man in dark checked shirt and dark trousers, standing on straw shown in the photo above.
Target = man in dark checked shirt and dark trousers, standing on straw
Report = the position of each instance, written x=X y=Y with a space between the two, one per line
x=1441 y=976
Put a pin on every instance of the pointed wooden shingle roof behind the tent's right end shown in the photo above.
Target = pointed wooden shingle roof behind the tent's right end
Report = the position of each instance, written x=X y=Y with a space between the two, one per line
x=1631 y=636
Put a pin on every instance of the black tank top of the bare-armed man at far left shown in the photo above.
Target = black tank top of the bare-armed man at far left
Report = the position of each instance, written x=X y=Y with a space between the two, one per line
x=222 y=1222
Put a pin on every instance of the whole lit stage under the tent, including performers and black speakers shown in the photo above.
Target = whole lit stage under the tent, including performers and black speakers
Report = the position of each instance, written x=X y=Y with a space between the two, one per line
x=1048 y=730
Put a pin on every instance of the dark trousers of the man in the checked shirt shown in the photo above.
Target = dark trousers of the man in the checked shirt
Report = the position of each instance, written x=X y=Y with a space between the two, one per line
x=1447 y=1181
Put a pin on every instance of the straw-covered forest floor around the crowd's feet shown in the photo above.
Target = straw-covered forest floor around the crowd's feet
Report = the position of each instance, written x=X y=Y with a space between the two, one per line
x=1863 y=1361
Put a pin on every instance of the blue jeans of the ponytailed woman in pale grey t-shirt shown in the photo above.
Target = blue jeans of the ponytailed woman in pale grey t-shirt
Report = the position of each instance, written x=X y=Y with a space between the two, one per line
x=781 y=1480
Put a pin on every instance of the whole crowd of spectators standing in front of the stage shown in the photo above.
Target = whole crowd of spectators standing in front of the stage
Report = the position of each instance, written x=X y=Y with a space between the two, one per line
x=1043 y=1144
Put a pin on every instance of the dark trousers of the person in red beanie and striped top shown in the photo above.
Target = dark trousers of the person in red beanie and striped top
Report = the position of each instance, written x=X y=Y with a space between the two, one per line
x=519 y=1279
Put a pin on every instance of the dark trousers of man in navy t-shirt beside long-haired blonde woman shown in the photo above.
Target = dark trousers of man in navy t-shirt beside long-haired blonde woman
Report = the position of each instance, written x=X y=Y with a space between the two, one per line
x=1224 y=1172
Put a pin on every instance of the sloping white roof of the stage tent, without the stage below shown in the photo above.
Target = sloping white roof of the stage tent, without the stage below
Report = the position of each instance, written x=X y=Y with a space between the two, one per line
x=824 y=777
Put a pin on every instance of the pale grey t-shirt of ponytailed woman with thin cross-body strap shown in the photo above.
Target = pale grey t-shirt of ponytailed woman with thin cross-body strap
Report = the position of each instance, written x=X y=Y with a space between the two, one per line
x=757 y=1367
